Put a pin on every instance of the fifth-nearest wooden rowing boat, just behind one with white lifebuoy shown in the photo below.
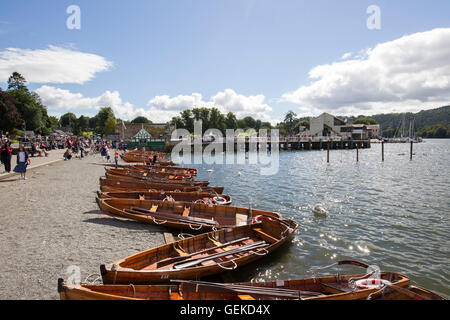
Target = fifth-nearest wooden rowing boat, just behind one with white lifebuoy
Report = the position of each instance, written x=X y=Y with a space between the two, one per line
x=154 y=186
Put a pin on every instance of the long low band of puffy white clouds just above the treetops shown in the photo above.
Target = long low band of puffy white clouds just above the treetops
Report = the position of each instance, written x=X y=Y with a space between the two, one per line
x=159 y=109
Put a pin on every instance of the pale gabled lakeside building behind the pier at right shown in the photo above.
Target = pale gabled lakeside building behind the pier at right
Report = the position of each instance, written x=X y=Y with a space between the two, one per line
x=327 y=125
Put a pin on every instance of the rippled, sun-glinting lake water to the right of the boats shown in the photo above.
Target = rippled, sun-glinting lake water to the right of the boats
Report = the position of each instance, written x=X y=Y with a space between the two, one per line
x=393 y=214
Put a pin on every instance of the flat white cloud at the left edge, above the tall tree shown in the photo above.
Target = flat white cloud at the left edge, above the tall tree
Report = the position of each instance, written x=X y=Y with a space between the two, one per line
x=51 y=65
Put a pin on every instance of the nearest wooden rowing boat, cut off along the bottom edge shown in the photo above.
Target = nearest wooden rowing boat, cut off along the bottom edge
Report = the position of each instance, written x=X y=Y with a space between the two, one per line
x=320 y=288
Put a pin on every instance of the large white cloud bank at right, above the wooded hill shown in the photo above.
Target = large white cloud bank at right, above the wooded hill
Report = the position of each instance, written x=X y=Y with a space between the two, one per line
x=408 y=74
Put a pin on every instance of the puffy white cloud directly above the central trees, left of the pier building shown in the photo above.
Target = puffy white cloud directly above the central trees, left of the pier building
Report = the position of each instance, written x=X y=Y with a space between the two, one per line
x=165 y=107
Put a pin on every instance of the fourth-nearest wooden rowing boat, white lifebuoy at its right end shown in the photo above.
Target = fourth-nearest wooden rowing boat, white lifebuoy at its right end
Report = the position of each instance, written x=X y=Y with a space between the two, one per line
x=201 y=197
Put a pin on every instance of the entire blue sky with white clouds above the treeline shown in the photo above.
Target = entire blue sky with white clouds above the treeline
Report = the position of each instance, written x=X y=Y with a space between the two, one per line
x=253 y=57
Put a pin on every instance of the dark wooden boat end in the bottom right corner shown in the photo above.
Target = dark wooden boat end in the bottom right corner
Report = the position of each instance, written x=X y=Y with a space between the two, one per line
x=394 y=292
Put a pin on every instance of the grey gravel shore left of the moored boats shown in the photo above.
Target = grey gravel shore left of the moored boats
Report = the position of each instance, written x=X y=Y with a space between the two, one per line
x=51 y=222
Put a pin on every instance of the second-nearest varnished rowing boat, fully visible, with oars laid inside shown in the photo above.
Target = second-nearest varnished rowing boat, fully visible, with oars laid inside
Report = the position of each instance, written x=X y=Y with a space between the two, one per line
x=202 y=255
